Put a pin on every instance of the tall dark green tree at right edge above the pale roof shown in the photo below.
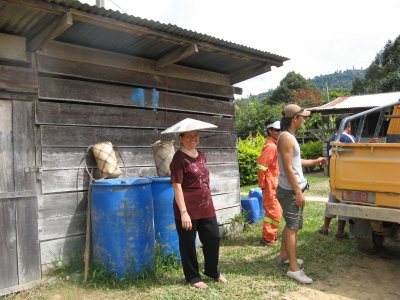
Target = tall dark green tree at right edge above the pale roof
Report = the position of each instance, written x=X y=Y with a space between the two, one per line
x=383 y=75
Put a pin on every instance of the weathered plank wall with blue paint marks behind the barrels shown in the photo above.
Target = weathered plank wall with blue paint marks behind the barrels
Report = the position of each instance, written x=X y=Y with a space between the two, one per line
x=84 y=99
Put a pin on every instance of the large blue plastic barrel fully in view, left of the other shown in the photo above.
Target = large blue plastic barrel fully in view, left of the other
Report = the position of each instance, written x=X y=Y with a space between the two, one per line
x=123 y=225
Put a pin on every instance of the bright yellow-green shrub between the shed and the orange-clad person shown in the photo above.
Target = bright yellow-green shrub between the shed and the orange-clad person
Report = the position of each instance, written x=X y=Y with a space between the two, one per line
x=248 y=151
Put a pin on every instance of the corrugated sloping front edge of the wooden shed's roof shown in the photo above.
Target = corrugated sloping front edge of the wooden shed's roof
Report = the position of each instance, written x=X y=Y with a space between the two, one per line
x=167 y=28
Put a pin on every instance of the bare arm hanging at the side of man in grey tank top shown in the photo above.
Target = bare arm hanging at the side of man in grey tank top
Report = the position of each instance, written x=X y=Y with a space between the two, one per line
x=285 y=148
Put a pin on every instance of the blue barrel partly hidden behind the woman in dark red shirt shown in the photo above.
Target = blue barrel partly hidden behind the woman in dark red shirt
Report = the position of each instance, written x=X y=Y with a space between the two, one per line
x=164 y=220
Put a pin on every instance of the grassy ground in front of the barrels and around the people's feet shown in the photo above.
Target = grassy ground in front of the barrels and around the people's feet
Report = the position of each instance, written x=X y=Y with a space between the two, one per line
x=252 y=270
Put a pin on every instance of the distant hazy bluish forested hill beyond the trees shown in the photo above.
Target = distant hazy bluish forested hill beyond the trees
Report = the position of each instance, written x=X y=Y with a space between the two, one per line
x=339 y=79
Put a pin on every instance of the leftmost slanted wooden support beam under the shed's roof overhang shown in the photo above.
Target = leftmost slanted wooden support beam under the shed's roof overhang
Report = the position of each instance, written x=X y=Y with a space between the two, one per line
x=52 y=31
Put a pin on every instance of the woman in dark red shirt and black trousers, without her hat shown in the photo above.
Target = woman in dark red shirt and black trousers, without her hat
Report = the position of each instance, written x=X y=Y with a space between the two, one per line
x=194 y=211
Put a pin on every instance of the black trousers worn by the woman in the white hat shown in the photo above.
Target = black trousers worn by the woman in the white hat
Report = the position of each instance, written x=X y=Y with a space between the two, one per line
x=209 y=237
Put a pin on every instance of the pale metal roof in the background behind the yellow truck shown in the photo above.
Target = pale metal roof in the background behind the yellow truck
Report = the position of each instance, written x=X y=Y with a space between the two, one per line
x=359 y=102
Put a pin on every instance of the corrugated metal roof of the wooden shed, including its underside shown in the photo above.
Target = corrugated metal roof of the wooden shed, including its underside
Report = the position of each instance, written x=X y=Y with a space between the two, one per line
x=29 y=18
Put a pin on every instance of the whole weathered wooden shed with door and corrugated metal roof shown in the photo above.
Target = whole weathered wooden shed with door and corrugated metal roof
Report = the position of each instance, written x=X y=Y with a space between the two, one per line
x=72 y=75
